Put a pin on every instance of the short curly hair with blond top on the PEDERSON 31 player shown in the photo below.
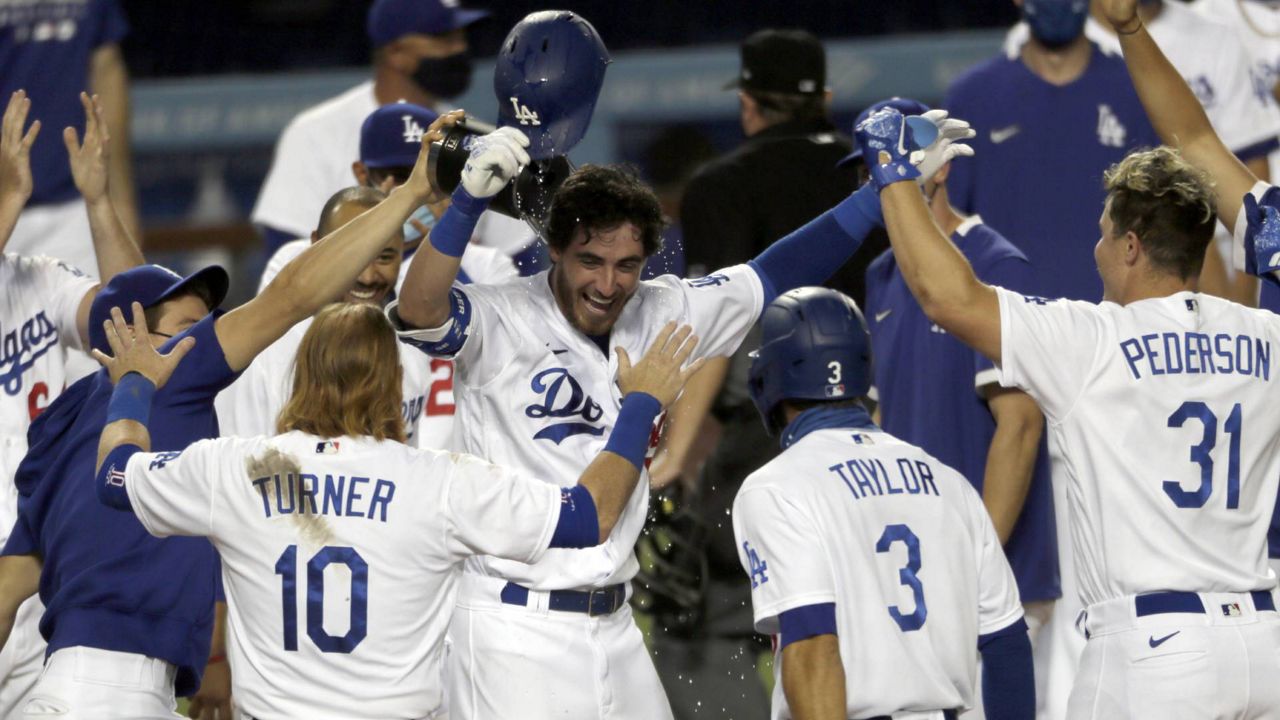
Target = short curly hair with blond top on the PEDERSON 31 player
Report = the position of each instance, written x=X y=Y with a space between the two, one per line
x=1168 y=204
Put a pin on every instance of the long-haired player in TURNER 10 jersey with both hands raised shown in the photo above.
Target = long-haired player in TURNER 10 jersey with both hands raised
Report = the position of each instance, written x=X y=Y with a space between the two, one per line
x=278 y=516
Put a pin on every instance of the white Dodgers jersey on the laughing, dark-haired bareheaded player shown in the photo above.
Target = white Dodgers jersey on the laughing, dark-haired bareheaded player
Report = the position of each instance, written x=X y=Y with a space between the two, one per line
x=534 y=393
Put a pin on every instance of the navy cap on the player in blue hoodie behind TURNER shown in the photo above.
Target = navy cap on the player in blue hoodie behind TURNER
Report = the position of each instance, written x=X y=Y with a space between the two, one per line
x=149 y=285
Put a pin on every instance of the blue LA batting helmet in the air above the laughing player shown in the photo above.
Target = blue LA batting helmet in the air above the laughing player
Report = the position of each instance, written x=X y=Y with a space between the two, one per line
x=550 y=74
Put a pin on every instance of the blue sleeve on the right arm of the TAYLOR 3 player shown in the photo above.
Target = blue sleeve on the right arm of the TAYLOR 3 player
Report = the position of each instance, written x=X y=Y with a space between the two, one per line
x=1008 y=678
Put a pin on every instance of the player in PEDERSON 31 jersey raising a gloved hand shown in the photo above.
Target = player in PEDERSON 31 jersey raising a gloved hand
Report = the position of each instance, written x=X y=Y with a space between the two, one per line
x=1160 y=403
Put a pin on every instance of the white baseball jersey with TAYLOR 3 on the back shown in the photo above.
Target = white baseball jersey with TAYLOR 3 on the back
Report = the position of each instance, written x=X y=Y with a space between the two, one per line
x=904 y=548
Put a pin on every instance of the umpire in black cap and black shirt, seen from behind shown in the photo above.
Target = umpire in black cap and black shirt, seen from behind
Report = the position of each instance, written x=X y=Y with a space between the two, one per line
x=734 y=208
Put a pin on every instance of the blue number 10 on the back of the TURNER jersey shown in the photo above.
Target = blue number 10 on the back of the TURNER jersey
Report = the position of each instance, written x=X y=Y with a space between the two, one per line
x=287 y=567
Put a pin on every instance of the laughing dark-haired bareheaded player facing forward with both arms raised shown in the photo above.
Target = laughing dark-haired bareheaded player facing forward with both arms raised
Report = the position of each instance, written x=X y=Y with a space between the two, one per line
x=534 y=364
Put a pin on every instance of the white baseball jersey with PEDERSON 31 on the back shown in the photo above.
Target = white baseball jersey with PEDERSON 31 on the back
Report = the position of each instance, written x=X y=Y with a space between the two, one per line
x=1165 y=416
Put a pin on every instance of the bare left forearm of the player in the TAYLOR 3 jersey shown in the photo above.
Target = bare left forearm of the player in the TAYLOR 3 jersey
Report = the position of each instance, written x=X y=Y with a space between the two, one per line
x=813 y=680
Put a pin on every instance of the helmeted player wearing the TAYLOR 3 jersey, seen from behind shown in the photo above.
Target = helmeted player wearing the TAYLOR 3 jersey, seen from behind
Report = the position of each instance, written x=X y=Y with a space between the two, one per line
x=875 y=566
